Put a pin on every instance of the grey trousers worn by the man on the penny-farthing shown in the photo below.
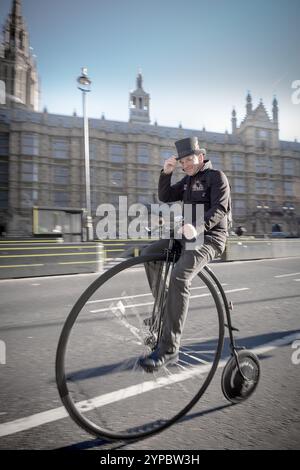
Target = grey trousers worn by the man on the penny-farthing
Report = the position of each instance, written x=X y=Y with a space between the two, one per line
x=190 y=263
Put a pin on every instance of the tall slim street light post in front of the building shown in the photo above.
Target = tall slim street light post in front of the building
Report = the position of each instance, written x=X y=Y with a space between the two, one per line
x=84 y=86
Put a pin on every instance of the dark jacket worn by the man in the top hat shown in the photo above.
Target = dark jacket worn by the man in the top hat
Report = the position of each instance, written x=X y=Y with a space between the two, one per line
x=209 y=187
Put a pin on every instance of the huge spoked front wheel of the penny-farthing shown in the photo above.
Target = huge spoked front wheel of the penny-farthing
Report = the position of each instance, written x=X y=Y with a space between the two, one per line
x=98 y=375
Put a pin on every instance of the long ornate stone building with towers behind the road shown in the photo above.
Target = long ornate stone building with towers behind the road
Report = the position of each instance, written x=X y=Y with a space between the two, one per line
x=42 y=154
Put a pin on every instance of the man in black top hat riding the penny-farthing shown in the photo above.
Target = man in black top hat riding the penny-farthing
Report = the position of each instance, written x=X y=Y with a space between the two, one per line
x=201 y=185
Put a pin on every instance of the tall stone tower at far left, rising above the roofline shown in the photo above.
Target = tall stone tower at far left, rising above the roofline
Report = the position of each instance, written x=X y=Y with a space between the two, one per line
x=17 y=65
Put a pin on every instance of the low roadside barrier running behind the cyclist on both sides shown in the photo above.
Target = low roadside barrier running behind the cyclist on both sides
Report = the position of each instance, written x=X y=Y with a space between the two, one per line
x=29 y=258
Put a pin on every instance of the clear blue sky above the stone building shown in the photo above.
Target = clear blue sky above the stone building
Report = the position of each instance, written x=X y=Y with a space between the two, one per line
x=198 y=57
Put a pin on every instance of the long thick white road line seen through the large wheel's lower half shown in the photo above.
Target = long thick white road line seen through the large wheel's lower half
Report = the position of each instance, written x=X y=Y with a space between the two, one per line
x=49 y=416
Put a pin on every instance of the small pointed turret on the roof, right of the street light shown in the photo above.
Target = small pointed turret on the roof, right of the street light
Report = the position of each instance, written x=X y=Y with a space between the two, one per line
x=139 y=103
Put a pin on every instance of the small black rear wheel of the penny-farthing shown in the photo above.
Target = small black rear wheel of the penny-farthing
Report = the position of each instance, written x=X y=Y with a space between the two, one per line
x=235 y=388
